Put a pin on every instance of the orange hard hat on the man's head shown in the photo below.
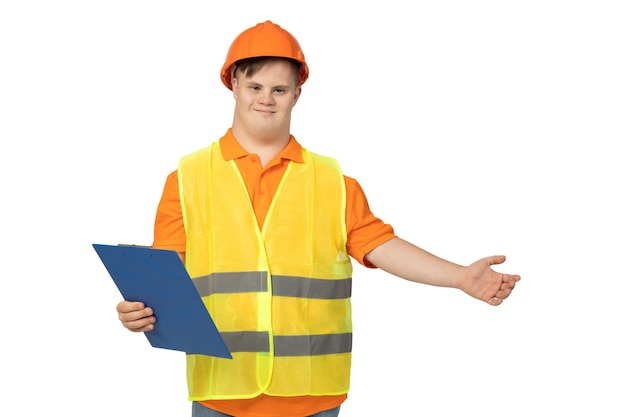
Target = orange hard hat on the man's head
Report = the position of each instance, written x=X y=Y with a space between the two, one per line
x=264 y=39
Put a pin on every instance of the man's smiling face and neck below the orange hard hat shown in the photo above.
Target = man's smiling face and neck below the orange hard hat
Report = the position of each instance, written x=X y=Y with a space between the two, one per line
x=264 y=99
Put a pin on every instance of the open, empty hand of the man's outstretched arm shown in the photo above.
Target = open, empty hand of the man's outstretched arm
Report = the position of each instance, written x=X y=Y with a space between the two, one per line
x=483 y=283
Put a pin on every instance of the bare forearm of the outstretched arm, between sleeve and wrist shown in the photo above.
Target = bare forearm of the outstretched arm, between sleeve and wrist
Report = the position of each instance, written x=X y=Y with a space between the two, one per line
x=405 y=260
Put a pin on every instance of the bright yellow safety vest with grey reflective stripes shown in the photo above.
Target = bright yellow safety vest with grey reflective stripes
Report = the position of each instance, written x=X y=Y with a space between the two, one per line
x=280 y=296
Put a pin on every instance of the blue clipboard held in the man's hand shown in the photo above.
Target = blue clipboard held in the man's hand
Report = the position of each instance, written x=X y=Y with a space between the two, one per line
x=159 y=279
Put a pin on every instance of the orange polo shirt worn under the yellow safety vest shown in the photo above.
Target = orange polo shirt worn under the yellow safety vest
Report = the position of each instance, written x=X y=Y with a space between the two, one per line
x=365 y=232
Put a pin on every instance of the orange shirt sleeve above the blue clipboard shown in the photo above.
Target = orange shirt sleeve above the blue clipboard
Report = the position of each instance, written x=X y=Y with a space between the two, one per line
x=169 y=229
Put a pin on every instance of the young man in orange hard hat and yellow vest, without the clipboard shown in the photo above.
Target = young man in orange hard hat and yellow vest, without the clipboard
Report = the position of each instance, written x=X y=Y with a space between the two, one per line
x=266 y=229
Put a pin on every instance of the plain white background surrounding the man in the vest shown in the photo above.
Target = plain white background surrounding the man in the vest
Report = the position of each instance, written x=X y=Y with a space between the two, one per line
x=475 y=128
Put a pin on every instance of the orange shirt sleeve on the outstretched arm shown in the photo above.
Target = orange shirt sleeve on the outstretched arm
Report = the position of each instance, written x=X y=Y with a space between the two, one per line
x=365 y=231
